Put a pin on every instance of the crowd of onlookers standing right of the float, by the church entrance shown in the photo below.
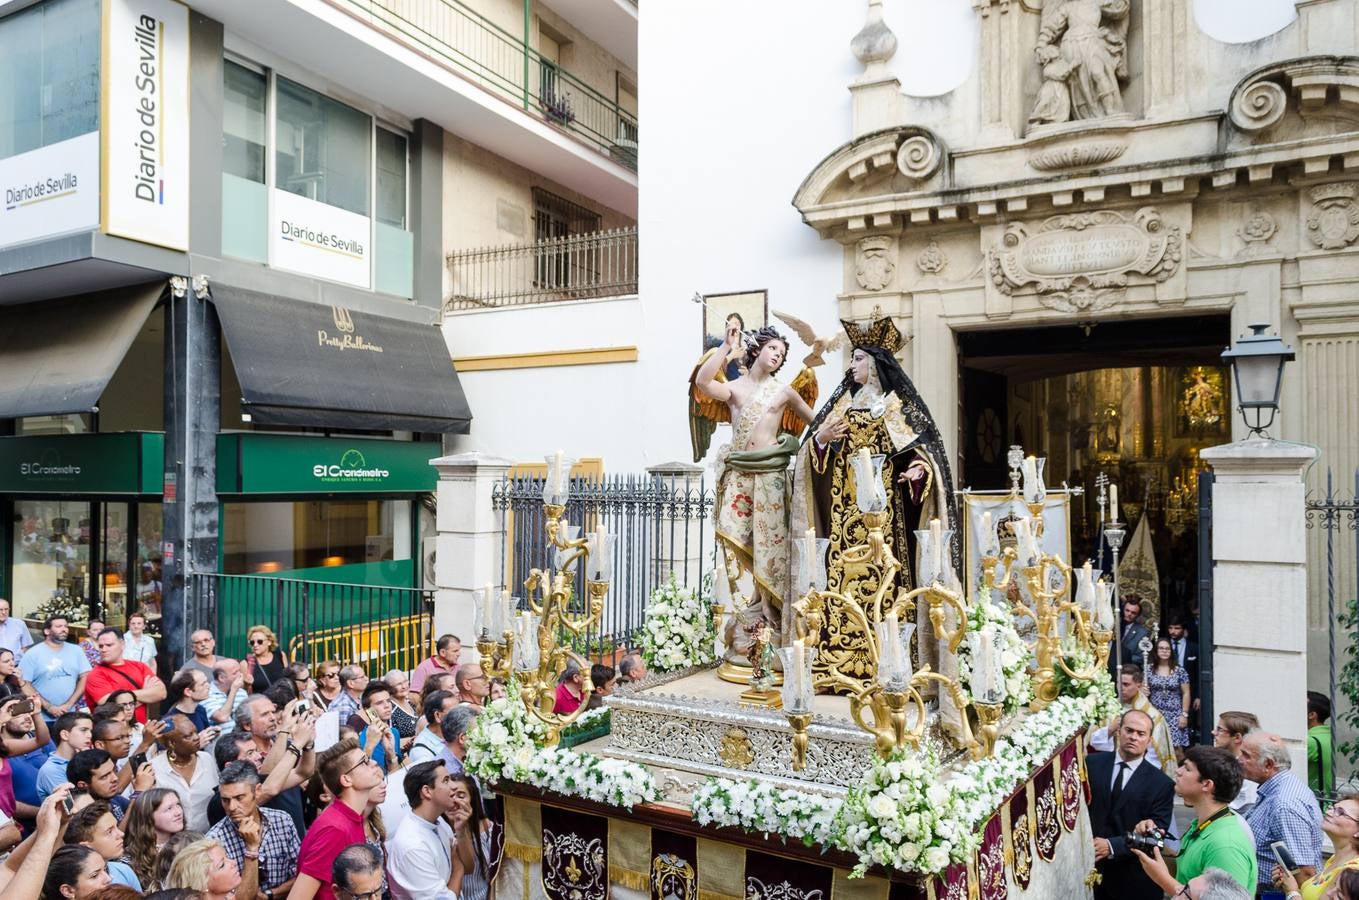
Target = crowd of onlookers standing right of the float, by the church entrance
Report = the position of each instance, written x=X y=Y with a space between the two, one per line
x=1258 y=829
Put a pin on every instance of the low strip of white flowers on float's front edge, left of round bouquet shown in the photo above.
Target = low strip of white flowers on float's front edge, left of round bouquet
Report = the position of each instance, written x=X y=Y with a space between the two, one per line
x=759 y=807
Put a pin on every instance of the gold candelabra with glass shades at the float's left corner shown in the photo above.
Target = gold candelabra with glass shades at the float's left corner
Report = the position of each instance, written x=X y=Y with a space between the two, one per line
x=533 y=646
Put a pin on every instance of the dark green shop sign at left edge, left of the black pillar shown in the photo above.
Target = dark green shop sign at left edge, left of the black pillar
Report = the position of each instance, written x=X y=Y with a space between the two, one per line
x=127 y=464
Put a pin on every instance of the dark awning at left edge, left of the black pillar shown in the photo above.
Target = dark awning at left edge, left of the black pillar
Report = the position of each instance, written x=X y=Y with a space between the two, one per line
x=59 y=356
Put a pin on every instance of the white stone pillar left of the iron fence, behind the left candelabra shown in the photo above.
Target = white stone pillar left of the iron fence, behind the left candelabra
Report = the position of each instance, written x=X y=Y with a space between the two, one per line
x=471 y=542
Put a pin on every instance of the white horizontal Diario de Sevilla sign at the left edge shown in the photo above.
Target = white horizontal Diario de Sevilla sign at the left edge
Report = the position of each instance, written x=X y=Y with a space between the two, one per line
x=51 y=191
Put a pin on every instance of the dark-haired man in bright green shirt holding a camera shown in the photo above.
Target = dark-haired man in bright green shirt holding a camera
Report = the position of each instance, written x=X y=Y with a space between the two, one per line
x=1216 y=840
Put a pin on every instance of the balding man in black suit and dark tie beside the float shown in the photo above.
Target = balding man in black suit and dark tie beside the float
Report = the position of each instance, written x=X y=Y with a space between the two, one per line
x=1126 y=789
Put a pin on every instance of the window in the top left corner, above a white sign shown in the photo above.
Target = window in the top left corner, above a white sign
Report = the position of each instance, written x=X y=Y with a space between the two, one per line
x=50 y=75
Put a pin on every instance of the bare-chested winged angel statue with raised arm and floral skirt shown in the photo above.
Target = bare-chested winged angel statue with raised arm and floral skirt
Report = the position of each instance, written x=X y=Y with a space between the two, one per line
x=751 y=508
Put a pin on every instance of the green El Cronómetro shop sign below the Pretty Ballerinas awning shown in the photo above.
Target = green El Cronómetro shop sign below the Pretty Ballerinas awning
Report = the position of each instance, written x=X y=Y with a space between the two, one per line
x=296 y=466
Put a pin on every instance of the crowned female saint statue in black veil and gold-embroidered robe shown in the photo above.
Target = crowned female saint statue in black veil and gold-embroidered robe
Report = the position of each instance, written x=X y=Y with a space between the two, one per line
x=879 y=409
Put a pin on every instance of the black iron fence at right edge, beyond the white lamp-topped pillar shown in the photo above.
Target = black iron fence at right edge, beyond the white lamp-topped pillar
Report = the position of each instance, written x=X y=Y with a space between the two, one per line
x=1338 y=517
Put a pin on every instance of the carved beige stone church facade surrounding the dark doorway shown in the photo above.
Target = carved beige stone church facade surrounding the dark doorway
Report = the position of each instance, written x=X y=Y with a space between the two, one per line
x=1108 y=164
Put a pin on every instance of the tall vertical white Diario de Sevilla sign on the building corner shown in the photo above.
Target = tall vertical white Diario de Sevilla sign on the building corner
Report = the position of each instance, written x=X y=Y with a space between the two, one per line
x=146 y=122
